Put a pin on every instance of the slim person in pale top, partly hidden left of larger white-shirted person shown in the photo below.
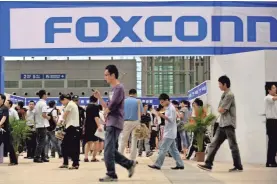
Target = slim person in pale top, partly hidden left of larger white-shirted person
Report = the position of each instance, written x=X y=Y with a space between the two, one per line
x=31 y=141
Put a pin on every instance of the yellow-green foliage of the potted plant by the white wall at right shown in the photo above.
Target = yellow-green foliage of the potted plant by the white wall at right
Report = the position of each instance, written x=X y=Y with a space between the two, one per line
x=198 y=125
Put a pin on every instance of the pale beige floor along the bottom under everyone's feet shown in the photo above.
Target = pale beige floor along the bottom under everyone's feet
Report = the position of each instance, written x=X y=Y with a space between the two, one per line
x=48 y=173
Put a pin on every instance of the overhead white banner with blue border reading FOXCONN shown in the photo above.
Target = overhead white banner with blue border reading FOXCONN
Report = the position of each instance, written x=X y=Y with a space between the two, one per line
x=135 y=29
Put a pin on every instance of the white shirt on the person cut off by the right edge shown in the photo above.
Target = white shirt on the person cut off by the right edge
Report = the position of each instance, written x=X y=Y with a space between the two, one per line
x=270 y=107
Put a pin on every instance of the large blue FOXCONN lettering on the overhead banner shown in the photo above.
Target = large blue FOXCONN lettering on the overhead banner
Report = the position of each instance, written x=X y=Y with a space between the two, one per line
x=126 y=28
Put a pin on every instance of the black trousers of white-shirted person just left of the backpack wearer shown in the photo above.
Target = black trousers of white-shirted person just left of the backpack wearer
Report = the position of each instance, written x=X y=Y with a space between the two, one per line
x=41 y=142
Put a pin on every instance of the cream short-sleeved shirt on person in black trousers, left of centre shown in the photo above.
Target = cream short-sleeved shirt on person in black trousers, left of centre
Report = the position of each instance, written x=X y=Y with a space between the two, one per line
x=72 y=118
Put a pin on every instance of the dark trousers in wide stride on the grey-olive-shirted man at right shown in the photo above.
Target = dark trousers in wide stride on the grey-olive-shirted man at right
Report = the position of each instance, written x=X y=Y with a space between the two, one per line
x=220 y=136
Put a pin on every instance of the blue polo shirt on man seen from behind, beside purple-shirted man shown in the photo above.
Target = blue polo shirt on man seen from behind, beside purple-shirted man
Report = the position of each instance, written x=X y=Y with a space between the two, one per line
x=131 y=109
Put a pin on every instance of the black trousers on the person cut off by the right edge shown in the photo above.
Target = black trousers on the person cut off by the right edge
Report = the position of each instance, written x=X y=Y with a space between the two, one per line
x=271 y=130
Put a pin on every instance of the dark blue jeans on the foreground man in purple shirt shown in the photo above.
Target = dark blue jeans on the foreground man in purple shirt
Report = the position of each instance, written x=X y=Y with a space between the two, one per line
x=111 y=155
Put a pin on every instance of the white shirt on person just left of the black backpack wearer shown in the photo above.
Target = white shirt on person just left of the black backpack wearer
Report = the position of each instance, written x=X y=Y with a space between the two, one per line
x=40 y=108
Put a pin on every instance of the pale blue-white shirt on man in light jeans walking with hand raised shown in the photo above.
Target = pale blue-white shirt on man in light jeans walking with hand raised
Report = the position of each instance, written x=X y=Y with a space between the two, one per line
x=170 y=128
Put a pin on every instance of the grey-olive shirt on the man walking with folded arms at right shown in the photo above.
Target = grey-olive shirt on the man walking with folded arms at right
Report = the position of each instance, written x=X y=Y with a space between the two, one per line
x=227 y=102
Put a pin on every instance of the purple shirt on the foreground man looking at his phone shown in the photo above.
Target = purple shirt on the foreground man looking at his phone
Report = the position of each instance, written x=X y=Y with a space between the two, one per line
x=116 y=106
